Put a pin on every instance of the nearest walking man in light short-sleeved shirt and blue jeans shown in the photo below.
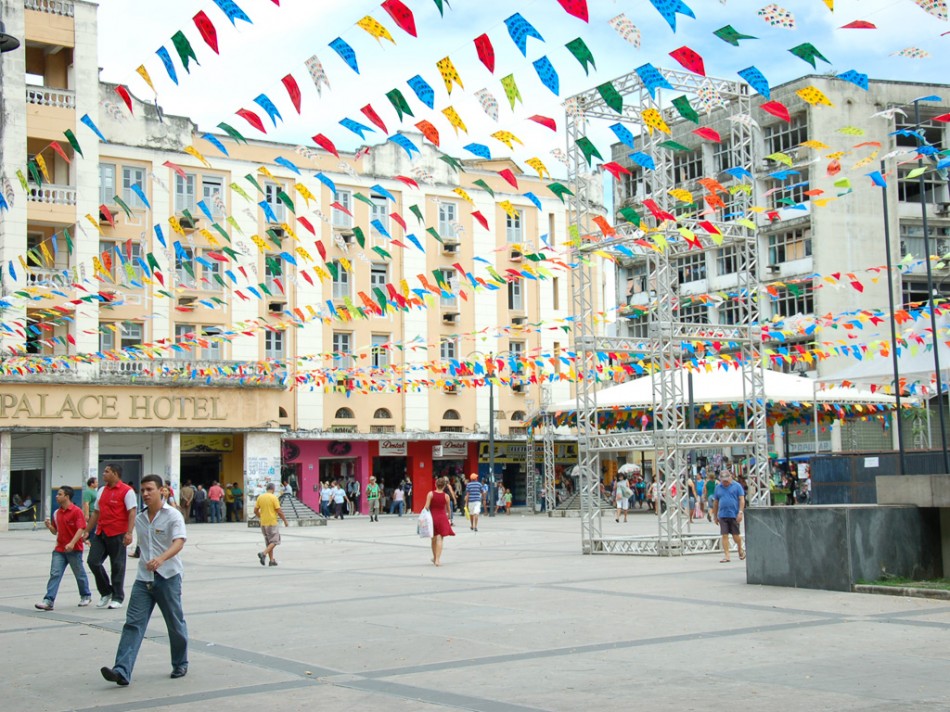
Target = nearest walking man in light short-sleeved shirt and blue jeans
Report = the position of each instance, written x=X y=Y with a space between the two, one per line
x=161 y=534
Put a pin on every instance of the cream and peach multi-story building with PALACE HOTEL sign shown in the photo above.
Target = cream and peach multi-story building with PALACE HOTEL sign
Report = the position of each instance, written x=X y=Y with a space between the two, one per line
x=272 y=311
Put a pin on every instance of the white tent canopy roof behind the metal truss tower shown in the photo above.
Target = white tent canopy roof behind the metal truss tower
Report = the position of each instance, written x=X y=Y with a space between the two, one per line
x=722 y=385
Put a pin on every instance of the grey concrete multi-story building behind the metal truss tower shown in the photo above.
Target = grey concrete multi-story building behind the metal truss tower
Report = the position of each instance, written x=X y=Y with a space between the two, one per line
x=820 y=220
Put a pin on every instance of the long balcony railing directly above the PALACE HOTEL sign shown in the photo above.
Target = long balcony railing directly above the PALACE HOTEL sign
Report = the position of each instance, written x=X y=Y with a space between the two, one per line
x=151 y=372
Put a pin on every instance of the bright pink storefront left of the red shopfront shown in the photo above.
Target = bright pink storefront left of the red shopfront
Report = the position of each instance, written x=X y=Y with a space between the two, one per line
x=324 y=460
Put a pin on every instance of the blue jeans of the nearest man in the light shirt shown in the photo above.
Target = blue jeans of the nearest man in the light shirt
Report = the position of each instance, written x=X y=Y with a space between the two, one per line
x=166 y=593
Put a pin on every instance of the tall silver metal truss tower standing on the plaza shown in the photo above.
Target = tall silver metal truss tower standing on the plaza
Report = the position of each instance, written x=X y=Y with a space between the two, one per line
x=672 y=433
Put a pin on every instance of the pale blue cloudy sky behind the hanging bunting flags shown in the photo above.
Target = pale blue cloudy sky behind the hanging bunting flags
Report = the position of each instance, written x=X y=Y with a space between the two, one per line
x=253 y=58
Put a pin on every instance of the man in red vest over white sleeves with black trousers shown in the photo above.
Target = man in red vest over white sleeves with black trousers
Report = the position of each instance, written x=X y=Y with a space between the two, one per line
x=112 y=521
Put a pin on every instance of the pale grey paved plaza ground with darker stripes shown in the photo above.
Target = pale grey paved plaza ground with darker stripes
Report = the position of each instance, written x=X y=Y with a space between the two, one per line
x=356 y=618
